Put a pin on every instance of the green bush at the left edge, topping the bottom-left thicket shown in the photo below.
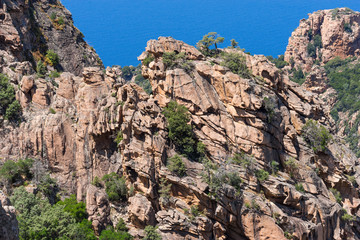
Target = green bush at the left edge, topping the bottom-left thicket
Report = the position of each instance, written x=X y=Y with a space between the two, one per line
x=12 y=171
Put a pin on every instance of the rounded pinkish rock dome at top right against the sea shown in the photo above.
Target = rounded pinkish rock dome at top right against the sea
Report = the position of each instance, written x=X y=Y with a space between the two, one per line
x=340 y=36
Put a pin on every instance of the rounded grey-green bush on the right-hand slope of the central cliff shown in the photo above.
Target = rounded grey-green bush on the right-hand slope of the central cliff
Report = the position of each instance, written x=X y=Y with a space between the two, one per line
x=316 y=135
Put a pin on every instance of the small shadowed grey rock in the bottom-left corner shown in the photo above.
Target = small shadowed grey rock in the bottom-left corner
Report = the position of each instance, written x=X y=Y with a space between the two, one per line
x=9 y=225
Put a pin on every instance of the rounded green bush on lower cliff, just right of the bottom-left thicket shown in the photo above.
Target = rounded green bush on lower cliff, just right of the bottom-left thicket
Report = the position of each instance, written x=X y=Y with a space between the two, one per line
x=115 y=187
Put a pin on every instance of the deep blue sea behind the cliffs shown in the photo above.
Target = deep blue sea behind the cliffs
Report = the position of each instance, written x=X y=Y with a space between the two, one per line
x=119 y=29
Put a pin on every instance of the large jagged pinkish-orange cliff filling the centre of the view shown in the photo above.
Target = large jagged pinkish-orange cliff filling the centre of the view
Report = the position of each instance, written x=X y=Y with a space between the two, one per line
x=71 y=123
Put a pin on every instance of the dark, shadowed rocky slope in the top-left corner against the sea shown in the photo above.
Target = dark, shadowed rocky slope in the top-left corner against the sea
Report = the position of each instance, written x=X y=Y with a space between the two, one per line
x=30 y=28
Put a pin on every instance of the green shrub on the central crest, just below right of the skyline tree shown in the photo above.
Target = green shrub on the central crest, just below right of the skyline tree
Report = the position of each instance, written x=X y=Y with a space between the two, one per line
x=236 y=63
